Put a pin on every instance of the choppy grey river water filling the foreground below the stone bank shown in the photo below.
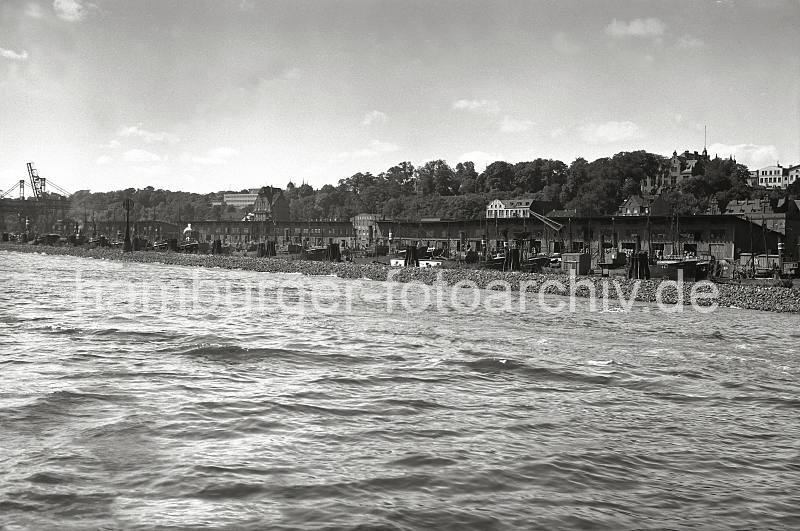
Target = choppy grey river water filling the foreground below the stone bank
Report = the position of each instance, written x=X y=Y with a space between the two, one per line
x=116 y=415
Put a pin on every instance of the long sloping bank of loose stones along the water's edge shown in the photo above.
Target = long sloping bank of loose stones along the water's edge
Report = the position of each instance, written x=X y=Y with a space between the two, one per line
x=766 y=298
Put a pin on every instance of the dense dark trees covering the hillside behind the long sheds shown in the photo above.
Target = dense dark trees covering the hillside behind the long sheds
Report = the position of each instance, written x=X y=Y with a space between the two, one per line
x=436 y=188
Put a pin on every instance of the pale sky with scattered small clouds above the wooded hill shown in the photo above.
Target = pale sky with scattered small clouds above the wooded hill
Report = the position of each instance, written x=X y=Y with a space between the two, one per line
x=203 y=96
